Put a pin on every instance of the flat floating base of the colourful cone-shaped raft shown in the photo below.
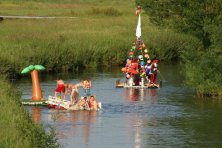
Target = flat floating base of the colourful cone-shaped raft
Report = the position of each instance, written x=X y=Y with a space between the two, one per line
x=125 y=85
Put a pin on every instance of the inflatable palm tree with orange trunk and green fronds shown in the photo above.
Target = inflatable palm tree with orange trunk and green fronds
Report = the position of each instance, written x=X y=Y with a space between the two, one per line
x=36 y=89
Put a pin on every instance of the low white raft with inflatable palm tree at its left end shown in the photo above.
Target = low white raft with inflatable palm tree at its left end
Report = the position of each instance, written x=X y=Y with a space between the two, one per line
x=52 y=102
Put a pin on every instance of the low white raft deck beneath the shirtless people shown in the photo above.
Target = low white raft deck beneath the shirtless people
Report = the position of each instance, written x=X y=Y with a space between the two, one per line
x=57 y=103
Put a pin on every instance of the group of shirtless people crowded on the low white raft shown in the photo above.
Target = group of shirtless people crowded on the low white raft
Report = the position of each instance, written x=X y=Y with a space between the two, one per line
x=88 y=101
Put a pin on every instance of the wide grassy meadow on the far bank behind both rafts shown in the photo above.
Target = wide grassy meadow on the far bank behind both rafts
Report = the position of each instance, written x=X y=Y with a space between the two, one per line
x=100 y=35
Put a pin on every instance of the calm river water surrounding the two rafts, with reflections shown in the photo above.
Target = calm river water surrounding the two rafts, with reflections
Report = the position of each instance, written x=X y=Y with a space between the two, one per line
x=131 y=118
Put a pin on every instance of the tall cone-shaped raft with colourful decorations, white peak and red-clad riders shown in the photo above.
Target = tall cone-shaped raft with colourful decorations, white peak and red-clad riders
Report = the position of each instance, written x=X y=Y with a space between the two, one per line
x=140 y=70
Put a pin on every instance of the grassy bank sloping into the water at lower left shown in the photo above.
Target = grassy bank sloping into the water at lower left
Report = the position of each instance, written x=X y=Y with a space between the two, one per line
x=17 y=128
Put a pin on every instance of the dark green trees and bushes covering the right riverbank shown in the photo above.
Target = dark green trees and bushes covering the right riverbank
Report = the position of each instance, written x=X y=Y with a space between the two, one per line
x=201 y=20
